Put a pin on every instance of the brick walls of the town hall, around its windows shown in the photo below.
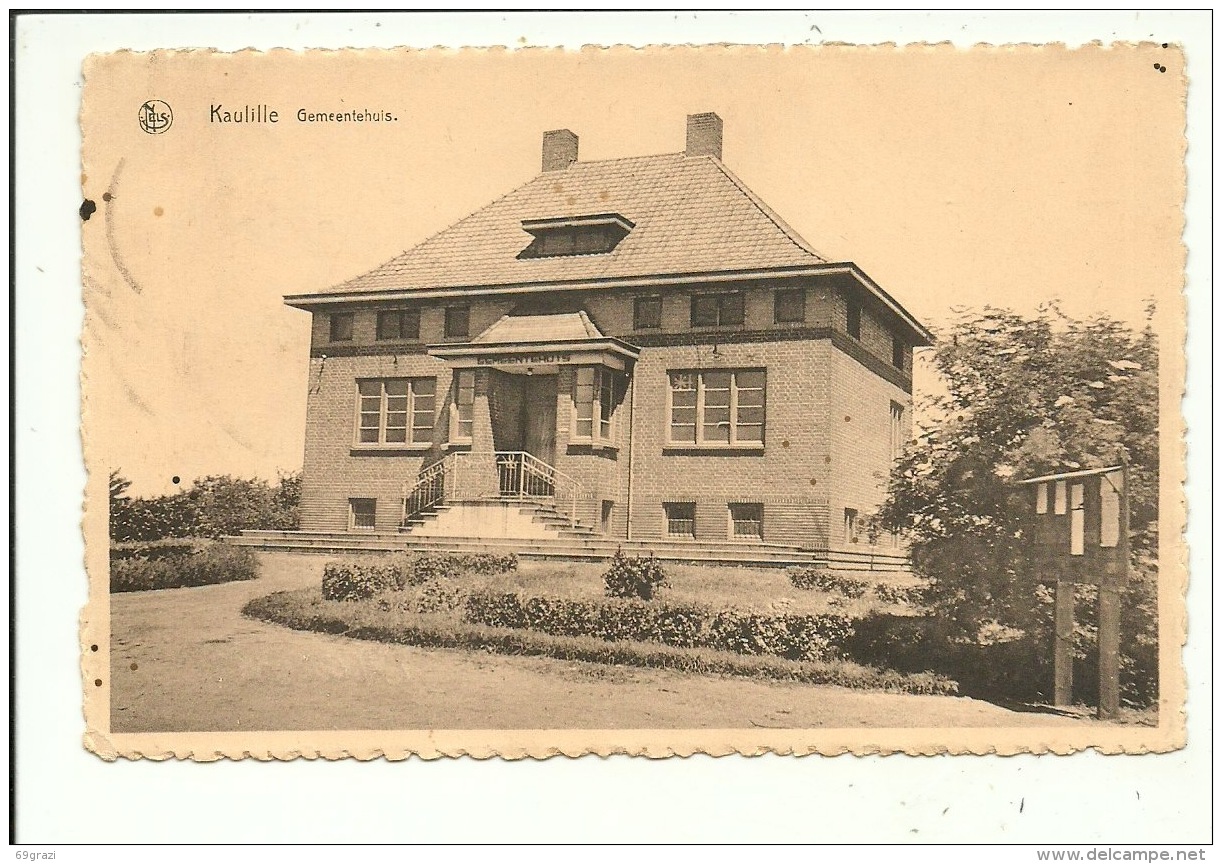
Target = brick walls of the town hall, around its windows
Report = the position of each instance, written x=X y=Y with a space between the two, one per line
x=814 y=464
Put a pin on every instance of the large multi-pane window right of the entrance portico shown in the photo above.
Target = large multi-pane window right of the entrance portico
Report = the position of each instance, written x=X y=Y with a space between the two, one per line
x=718 y=408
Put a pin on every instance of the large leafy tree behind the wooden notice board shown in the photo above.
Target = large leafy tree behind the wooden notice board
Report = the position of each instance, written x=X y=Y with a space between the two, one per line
x=1027 y=397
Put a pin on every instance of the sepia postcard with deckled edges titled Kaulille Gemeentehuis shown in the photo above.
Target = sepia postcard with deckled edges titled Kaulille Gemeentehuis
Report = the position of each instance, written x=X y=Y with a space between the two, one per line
x=651 y=401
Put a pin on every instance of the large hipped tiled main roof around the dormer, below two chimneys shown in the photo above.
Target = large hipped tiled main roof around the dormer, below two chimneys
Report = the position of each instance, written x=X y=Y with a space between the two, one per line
x=691 y=216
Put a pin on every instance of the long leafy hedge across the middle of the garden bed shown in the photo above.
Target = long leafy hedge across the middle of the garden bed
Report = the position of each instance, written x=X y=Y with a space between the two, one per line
x=794 y=637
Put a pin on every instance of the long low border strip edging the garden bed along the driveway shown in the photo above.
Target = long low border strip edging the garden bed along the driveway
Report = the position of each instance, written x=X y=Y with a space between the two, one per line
x=305 y=610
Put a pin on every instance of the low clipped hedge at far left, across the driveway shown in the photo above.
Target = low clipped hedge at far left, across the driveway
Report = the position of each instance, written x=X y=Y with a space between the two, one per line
x=207 y=565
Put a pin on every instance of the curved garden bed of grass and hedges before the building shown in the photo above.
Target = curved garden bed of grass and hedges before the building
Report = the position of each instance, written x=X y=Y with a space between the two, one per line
x=739 y=621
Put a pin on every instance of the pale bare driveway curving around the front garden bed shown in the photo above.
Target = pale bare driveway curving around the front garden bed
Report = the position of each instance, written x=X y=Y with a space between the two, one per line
x=186 y=661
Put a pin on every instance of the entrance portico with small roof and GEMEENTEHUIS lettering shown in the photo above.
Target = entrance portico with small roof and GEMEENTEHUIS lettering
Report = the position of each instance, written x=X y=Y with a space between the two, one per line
x=532 y=390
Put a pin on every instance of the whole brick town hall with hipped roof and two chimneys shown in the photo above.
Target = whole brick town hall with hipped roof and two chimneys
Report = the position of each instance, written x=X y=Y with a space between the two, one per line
x=630 y=351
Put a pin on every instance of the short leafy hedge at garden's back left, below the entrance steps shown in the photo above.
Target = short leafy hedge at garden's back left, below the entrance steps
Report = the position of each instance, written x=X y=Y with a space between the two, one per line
x=362 y=577
